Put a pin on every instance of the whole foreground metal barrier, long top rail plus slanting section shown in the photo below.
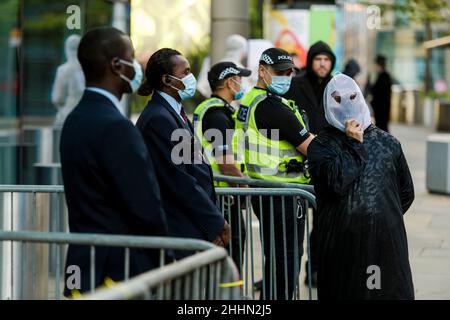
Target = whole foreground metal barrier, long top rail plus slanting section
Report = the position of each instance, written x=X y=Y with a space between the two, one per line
x=204 y=275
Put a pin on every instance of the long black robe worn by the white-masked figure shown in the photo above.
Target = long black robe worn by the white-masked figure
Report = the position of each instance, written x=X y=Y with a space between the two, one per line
x=363 y=190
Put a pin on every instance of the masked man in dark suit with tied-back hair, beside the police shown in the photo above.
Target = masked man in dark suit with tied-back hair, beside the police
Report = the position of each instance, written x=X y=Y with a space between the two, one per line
x=185 y=178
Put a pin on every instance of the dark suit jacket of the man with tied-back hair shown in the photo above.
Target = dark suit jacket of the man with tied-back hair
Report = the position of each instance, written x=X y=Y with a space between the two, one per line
x=187 y=190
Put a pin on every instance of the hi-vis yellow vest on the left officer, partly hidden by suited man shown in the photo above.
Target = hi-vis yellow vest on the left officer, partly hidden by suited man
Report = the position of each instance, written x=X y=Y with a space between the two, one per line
x=199 y=114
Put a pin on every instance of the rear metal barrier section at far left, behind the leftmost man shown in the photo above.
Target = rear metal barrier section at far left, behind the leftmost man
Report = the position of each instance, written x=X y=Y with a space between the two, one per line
x=30 y=208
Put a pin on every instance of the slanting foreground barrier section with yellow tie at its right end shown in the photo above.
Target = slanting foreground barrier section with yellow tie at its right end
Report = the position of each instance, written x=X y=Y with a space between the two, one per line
x=206 y=275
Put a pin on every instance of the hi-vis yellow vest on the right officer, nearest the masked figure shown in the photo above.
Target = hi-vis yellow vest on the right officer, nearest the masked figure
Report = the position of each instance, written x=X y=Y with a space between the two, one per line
x=268 y=159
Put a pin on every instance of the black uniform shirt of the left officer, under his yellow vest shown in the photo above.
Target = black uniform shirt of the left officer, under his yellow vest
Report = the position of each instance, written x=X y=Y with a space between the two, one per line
x=221 y=119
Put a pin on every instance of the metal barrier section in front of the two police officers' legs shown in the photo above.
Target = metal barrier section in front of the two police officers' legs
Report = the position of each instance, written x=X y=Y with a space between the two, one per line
x=279 y=212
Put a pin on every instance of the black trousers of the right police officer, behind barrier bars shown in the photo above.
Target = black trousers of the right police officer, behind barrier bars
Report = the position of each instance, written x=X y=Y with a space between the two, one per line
x=286 y=239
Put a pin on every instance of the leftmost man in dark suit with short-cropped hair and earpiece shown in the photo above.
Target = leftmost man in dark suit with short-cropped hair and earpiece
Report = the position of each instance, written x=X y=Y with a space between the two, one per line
x=109 y=179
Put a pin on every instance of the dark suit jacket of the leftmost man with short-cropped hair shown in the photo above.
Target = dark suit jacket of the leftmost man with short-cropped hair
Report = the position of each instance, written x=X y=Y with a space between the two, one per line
x=110 y=187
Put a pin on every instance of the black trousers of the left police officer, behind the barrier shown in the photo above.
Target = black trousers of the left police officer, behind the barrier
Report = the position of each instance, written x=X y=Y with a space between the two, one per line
x=231 y=208
